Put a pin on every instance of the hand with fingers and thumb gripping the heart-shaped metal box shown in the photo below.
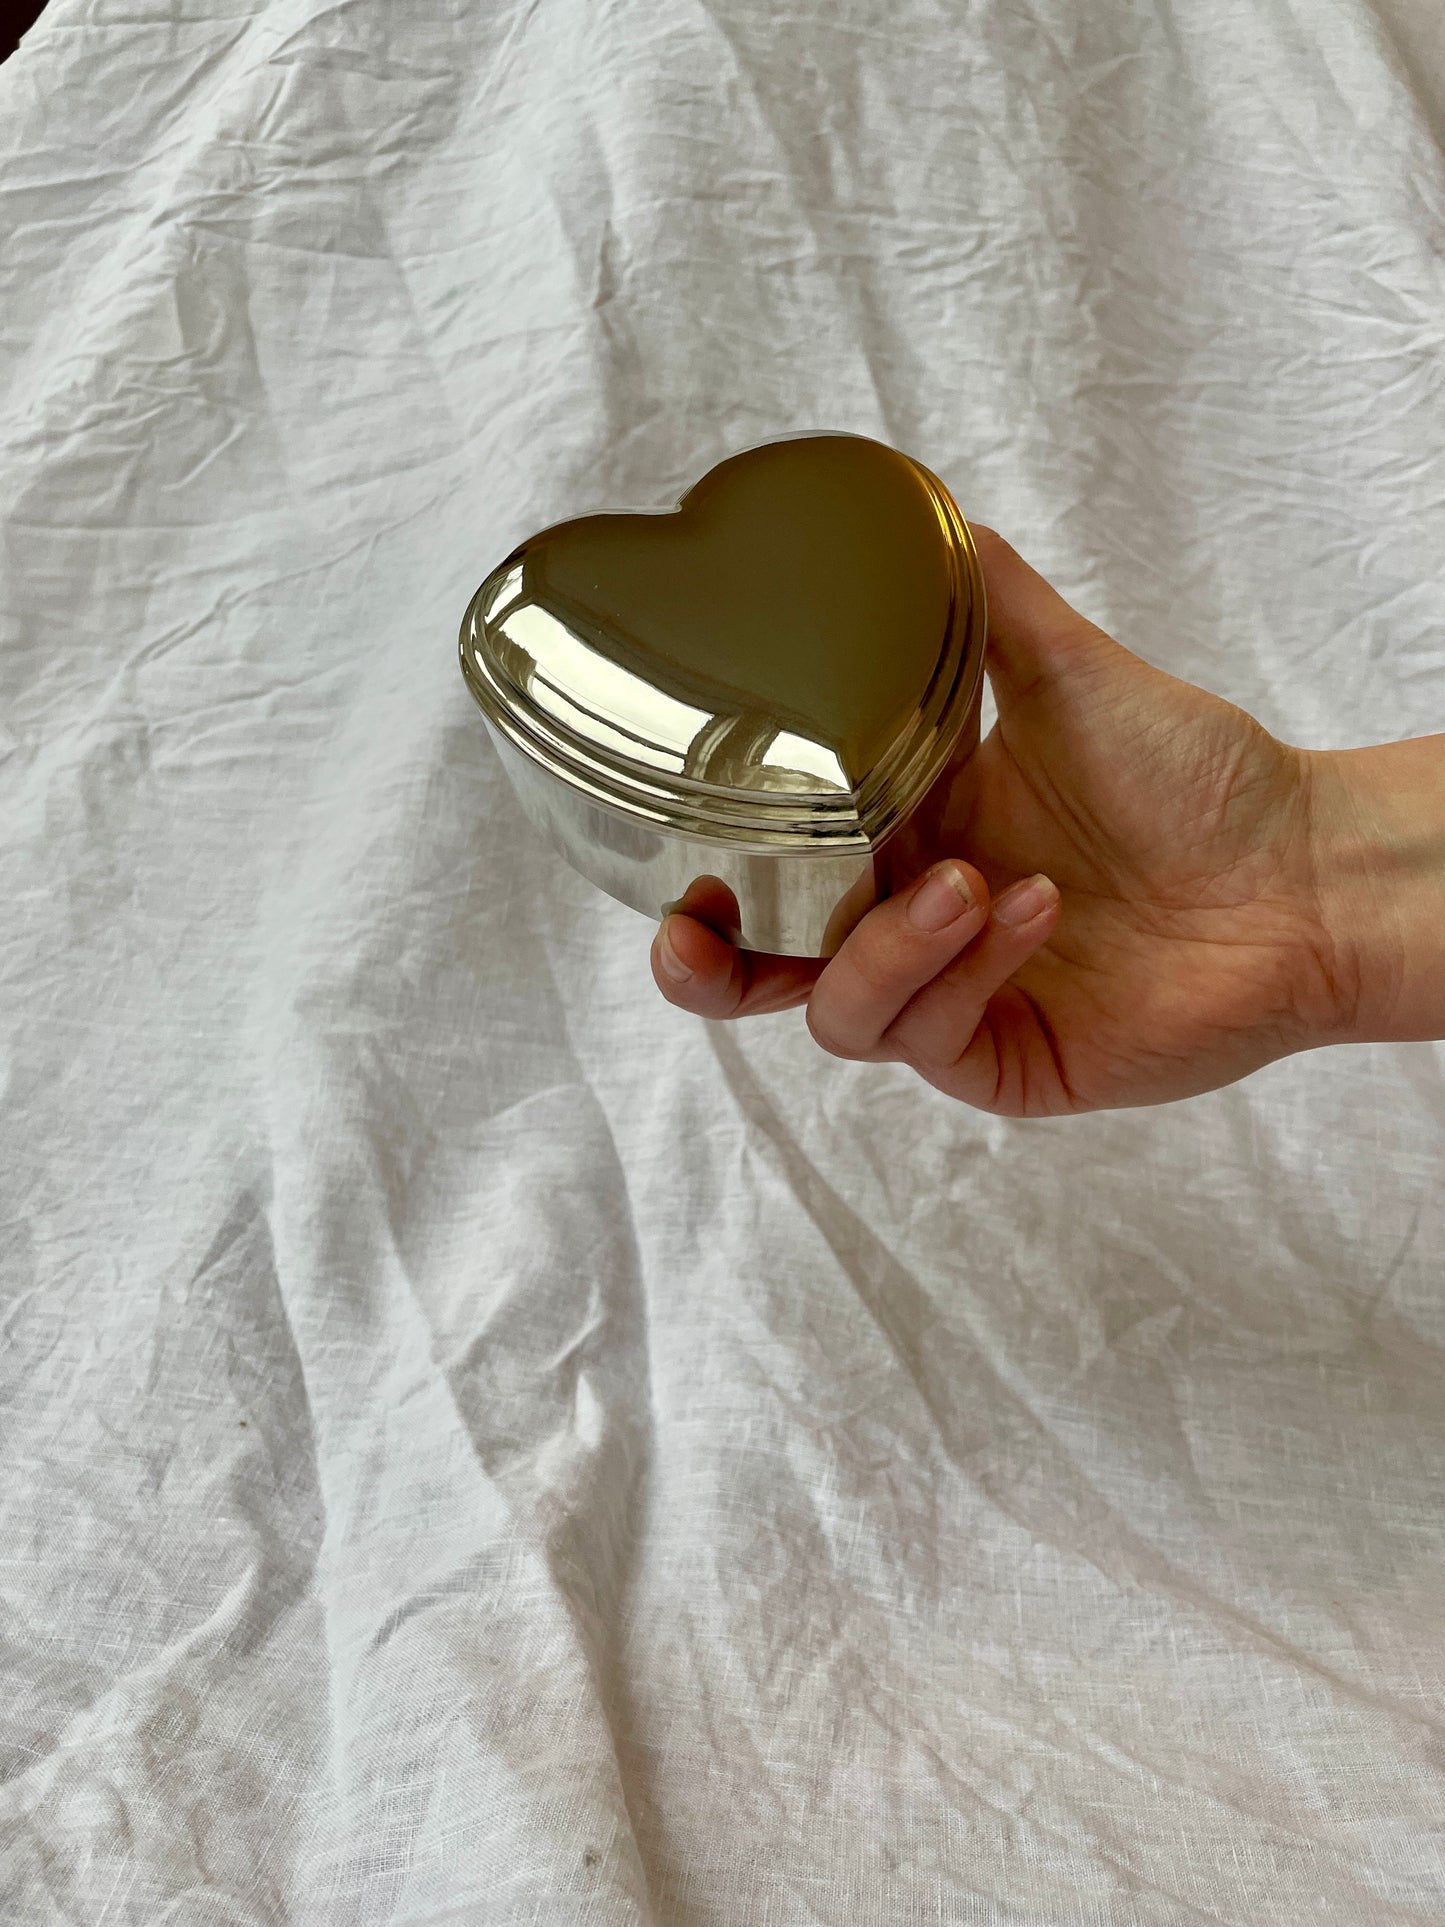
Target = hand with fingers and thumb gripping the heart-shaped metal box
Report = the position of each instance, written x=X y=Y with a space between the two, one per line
x=1170 y=941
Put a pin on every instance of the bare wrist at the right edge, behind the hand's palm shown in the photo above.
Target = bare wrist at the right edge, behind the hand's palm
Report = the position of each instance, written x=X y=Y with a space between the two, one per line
x=1379 y=878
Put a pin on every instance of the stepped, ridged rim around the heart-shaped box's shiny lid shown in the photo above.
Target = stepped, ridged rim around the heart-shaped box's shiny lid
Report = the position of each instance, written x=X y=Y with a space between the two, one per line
x=617 y=772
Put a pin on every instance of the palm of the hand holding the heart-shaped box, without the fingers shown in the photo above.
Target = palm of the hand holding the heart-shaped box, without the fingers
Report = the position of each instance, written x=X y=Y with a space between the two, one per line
x=1176 y=832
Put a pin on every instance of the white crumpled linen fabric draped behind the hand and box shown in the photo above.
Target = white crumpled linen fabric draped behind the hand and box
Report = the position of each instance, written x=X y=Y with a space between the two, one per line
x=481 y=1446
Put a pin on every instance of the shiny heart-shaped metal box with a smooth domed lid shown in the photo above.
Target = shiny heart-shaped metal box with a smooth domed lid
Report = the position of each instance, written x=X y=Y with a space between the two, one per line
x=760 y=685
